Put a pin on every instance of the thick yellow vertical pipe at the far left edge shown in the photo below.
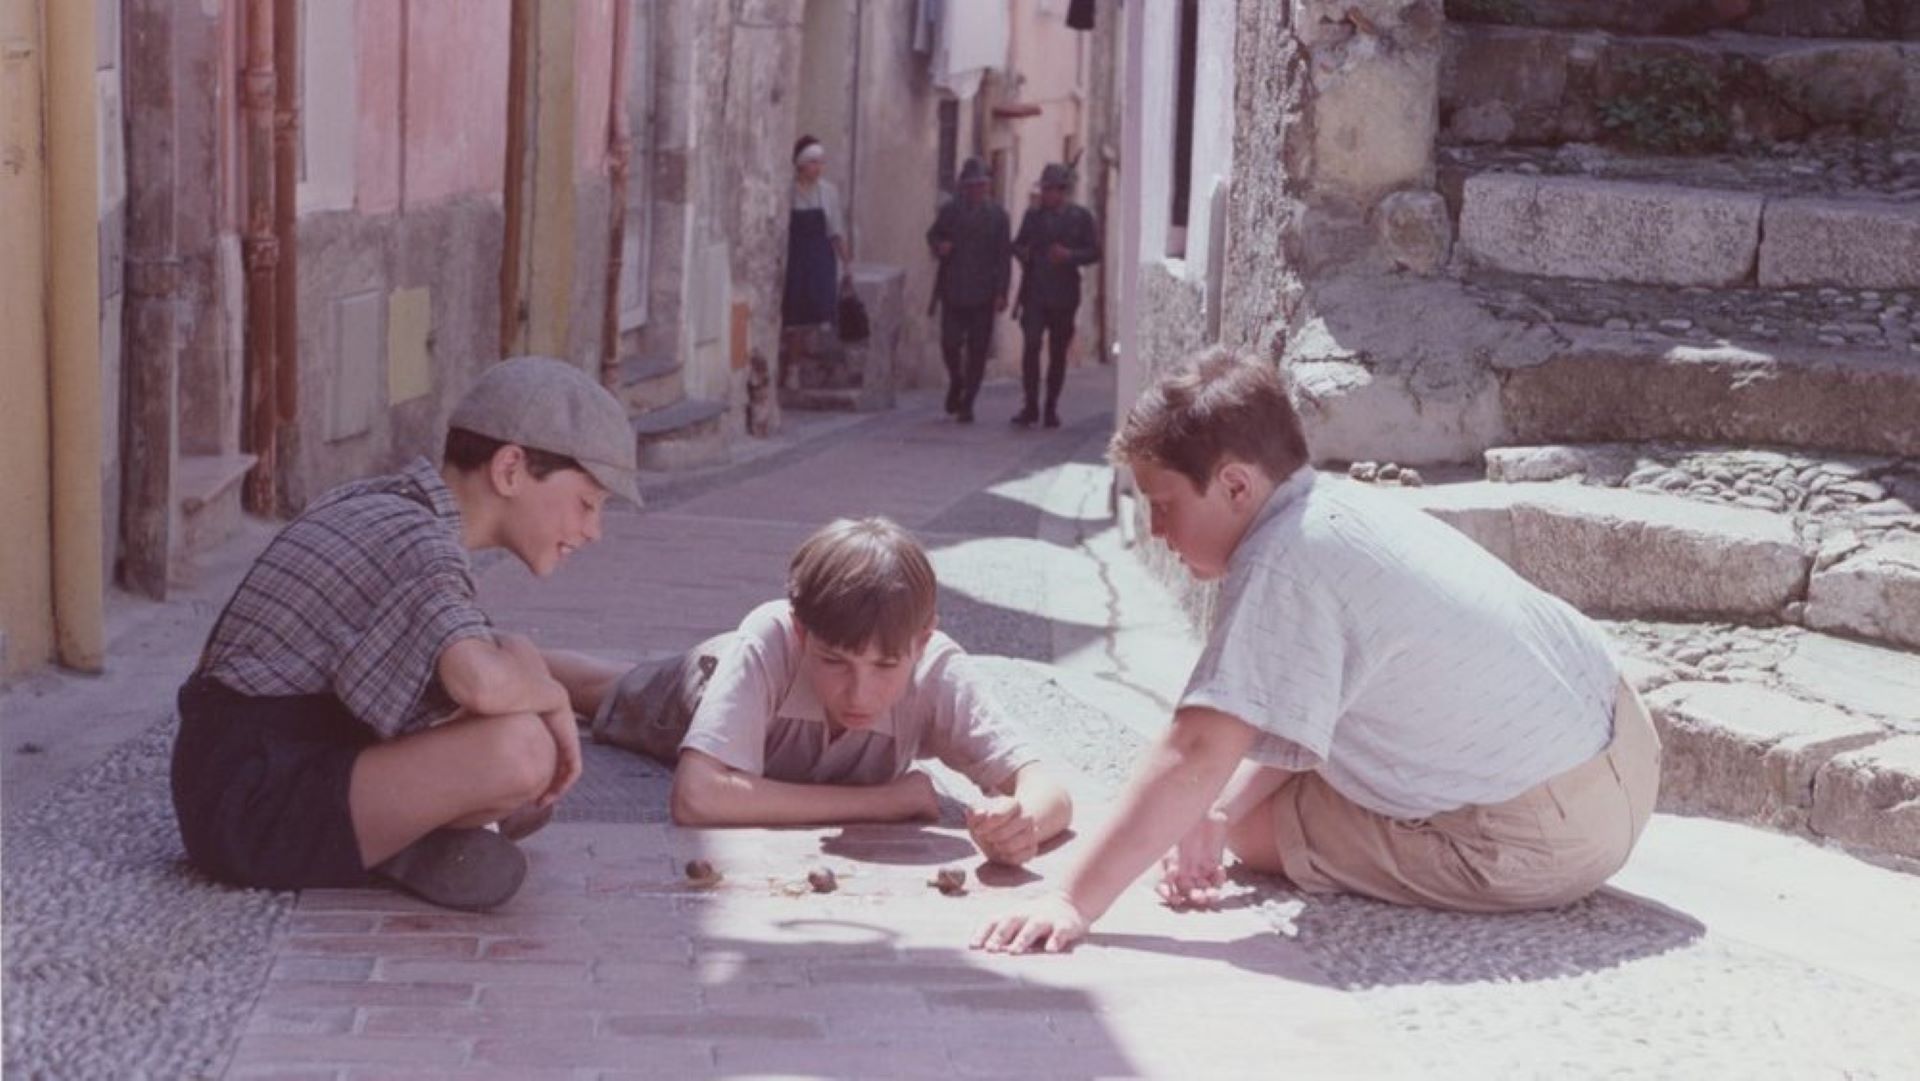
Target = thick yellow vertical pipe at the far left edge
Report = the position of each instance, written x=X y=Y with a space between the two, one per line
x=74 y=333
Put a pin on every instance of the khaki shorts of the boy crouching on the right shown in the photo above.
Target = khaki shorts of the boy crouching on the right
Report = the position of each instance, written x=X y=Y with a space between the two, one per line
x=1550 y=846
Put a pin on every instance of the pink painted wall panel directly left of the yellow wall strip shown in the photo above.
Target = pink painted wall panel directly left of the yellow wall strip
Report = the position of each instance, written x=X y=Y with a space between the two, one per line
x=456 y=130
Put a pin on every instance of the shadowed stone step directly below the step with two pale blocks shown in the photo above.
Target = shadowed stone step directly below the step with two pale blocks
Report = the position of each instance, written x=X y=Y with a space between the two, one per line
x=1614 y=385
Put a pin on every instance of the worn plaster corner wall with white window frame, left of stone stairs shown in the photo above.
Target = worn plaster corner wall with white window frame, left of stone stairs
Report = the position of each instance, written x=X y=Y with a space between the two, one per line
x=1332 y=110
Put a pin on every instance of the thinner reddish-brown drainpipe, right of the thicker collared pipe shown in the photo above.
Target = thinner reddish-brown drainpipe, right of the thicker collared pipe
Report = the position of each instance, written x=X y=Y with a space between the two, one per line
x=285 y=212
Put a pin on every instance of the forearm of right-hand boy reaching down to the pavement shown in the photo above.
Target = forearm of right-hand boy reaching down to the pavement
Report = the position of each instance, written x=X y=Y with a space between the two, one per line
x=1176 y=786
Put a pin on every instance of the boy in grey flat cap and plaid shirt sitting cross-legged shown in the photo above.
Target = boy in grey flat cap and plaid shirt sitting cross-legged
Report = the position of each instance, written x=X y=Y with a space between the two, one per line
x=354 y=715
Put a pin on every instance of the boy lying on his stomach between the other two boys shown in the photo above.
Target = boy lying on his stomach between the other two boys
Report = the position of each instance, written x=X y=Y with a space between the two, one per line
x=817 y=709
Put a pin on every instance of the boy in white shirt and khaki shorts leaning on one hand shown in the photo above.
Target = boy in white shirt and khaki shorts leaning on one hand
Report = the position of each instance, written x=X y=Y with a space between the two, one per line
x=1381 y=706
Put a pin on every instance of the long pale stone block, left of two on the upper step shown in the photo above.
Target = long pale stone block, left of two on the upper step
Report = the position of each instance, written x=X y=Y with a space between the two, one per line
x=1610 y=229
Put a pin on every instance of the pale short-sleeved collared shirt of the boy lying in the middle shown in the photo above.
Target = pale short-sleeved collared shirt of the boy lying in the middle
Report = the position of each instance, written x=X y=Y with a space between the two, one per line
x=759 y=717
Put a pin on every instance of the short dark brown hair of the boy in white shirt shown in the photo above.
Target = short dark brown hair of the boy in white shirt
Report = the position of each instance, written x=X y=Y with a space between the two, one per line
x=1214 y=406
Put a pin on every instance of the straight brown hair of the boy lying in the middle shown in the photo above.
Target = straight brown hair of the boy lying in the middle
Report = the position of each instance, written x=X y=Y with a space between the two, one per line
x=863 y=583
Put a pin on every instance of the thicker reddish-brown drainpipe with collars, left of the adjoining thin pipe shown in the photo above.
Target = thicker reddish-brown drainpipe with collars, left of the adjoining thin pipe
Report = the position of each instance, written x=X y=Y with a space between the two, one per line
x=262 y=254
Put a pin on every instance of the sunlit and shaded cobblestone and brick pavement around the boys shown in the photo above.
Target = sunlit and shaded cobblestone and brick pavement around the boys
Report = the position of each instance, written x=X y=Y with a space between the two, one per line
x=1719 y=951
